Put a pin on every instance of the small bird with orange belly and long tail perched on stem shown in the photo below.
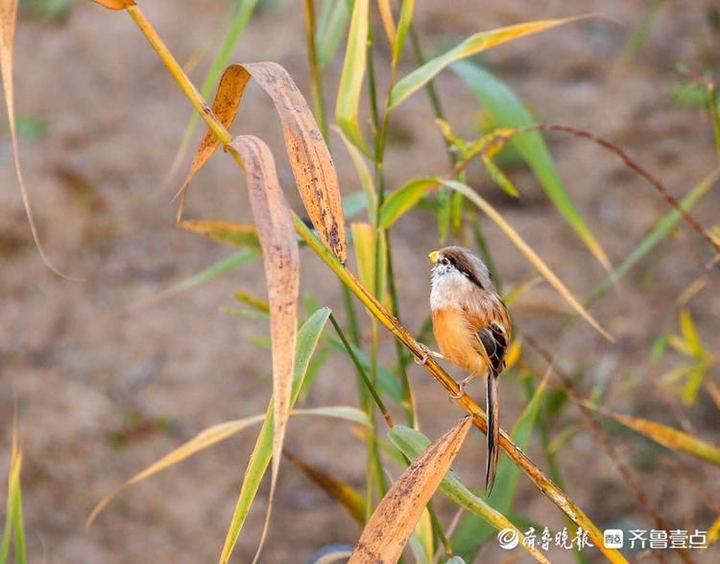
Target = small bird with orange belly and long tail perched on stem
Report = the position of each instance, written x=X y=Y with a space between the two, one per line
x=472 y=328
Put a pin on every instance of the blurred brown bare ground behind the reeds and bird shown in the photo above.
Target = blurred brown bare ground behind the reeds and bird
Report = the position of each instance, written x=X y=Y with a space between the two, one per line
x=100 y=391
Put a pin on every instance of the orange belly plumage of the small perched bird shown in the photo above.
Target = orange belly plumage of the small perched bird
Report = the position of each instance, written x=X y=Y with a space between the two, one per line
x=457 y=341
